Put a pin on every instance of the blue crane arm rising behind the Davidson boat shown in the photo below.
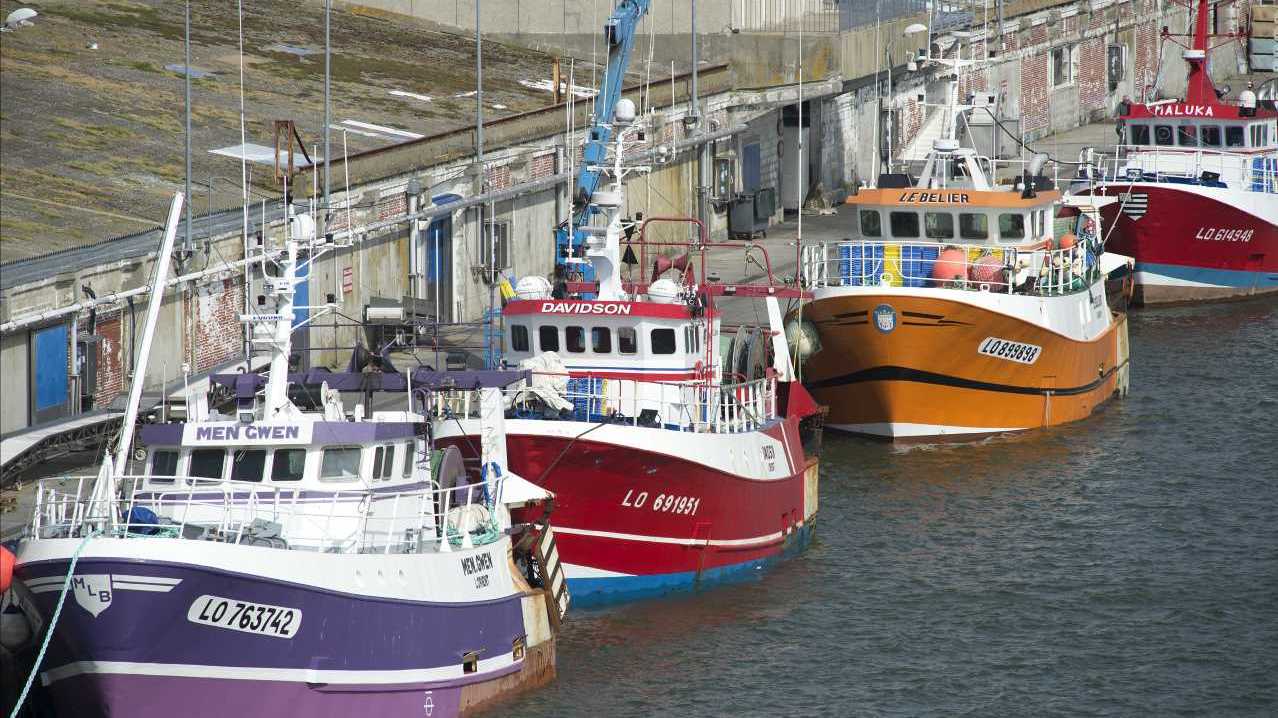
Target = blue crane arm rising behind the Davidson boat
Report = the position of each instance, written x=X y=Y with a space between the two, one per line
x=620 y=38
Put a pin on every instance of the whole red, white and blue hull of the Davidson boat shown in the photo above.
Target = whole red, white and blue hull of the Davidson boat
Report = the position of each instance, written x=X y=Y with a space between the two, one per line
x=641 y=513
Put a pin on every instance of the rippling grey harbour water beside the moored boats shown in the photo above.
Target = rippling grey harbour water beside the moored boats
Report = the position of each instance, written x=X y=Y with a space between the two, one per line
x=1127 y=565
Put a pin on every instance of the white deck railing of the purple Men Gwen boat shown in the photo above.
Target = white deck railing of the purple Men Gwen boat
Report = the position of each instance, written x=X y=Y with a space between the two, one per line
x=342 y=521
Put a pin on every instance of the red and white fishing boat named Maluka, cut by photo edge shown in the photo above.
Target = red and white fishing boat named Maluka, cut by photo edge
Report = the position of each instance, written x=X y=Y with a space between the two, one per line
x=1198 y=188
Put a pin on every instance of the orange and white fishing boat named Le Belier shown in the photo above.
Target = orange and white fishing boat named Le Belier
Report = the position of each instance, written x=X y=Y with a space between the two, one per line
x=962 y=309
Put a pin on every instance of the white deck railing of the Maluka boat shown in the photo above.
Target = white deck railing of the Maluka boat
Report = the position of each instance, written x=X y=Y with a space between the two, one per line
x=1251 y=172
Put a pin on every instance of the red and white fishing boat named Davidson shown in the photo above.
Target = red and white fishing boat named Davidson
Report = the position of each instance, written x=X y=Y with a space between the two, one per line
x=678 y=459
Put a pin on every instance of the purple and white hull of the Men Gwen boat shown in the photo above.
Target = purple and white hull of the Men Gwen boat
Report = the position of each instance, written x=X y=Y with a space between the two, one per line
x=135 y=636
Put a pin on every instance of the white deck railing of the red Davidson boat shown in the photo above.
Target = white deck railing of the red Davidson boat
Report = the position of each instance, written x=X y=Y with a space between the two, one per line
x=691 y=407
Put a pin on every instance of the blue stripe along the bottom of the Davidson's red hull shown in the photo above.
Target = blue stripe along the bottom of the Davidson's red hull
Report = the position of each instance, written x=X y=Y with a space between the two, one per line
x=589 y=593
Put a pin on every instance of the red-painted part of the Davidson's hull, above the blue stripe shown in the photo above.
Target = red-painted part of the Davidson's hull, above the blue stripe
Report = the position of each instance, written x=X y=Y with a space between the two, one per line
x=614 y=510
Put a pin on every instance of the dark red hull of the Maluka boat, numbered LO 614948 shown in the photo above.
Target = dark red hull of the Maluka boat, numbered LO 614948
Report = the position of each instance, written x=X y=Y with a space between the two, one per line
x=1196 y=243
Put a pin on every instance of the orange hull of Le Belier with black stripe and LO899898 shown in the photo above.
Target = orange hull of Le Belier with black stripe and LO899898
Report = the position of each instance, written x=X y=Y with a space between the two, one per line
x=950 y=369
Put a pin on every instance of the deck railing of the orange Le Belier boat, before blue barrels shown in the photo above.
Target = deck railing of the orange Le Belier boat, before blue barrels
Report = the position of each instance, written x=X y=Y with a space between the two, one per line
x=969 y=268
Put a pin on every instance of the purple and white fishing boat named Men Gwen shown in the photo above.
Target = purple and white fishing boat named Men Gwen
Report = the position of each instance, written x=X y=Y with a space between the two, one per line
x=286 y=560
